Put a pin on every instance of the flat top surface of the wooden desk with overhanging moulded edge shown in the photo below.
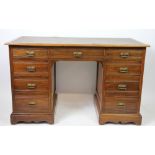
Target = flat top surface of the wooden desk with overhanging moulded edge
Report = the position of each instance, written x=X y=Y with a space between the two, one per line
x=83 y=42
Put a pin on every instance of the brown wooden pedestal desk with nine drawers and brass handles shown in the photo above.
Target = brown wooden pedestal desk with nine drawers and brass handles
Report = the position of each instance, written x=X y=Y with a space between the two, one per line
x=120 y=66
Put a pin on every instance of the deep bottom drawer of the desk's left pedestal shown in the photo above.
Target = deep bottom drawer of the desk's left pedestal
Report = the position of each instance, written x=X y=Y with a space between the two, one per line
x=31 y=104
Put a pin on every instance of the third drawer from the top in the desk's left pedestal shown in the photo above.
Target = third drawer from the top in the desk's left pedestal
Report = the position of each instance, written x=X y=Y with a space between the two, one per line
x=31 y=85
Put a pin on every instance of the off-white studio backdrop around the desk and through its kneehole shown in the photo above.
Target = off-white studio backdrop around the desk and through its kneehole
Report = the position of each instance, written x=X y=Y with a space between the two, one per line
x=79 y=78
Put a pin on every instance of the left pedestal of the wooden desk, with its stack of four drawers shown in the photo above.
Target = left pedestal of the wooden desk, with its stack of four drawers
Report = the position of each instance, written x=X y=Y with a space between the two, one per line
x=32 y=80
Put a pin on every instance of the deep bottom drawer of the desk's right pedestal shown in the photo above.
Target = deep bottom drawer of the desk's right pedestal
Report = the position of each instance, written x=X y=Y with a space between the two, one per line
x=121 y=105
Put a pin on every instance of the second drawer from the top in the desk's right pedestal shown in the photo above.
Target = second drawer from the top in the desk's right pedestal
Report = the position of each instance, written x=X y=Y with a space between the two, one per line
x=123 y=68
